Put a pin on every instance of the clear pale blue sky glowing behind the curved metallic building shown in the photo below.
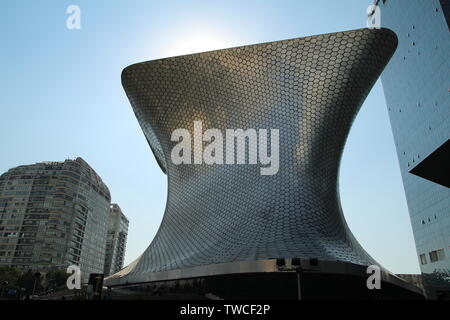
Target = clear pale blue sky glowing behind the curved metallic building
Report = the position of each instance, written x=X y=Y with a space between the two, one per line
x=61 y=97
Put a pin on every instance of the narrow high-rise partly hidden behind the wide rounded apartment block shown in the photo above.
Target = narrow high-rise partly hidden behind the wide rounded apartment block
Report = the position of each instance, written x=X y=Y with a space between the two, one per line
x=116 y=240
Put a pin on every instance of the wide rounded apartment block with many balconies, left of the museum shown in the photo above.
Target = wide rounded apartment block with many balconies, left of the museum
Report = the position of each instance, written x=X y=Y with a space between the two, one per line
x=54 y=214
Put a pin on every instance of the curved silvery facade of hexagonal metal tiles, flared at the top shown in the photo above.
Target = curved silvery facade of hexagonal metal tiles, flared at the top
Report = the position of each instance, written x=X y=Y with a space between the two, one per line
x=311 y=90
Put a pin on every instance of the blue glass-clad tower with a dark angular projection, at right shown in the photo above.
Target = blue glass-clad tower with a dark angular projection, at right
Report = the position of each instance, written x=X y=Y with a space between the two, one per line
x=416 y=84
